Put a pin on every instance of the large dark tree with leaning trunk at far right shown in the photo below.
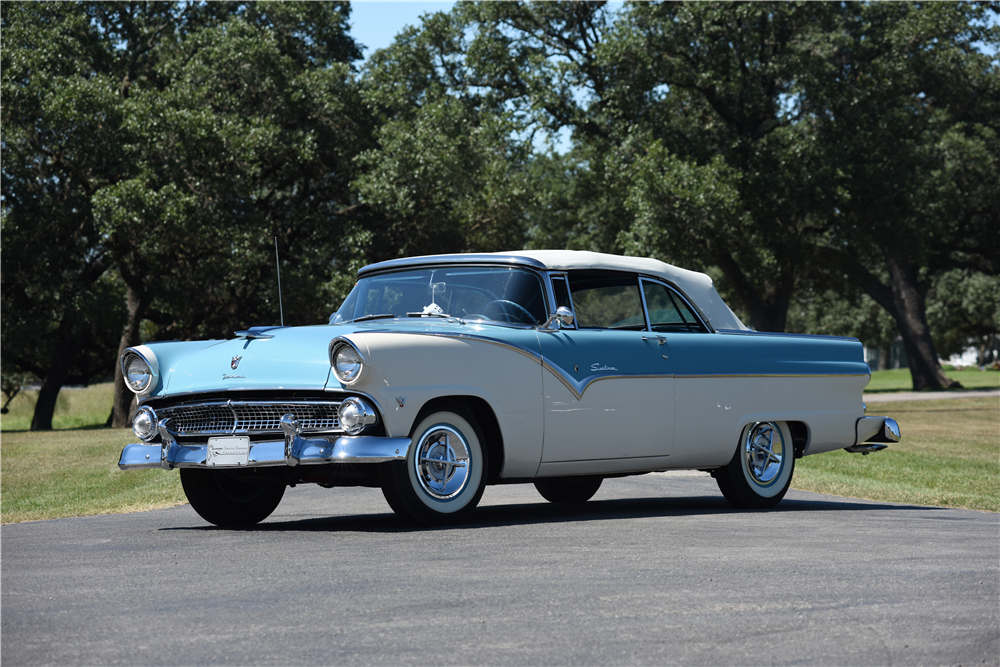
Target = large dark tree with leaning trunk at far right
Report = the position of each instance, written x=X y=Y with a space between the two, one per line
x=907 y=111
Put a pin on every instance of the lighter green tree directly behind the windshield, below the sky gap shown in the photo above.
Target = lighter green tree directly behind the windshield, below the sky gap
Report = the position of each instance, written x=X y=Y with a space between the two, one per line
x=447 y=174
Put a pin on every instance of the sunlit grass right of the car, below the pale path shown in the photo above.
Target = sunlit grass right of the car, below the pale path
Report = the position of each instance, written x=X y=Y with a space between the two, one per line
x=949 y=456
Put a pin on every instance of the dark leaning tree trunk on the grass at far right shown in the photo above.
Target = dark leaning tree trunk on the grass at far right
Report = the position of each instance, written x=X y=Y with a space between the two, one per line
x=910 y=312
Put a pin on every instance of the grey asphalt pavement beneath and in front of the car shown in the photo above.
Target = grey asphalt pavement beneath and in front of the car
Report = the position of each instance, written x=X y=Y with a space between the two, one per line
x=656 y=570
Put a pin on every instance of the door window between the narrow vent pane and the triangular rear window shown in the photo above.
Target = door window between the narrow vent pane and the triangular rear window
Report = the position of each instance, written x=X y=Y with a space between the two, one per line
x=606 y=301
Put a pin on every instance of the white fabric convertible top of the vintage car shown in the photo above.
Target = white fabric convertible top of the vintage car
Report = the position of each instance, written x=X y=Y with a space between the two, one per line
x=697 y=286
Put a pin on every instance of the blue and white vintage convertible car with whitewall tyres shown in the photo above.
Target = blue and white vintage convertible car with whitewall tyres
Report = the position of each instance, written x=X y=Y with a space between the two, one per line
x=441 y=374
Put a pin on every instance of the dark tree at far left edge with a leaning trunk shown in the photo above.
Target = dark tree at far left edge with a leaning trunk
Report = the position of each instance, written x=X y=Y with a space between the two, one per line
x=58 y=147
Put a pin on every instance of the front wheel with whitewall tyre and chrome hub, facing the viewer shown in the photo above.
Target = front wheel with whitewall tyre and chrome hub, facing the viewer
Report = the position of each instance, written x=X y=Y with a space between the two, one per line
x=444 y=475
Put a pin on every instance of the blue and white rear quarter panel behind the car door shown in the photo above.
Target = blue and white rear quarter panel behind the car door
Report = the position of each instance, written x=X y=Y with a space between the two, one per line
x=726 y=381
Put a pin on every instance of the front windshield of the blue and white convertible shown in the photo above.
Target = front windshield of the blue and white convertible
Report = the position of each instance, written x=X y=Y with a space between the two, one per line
x=499 y=294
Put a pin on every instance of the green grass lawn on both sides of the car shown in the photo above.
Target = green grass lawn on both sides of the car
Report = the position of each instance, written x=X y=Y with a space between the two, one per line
x=949 y=456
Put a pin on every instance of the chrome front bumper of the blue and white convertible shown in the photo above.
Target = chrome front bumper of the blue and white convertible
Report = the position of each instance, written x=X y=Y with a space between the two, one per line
x=294 y=450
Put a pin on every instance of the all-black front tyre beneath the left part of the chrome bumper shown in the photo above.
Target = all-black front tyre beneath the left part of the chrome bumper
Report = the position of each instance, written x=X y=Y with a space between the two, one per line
x=220 y=498
